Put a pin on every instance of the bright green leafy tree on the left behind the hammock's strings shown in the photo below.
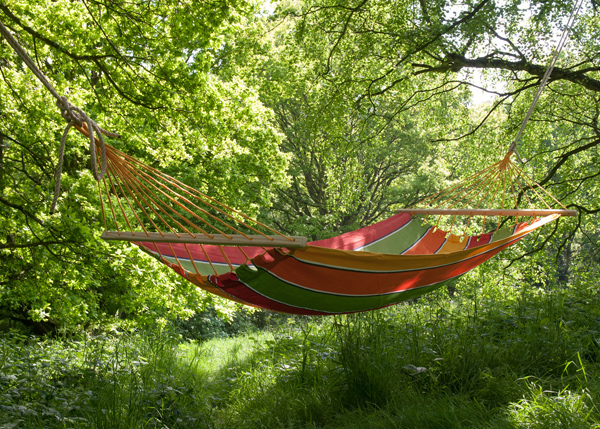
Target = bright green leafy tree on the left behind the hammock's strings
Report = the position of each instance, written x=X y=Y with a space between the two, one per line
x=147 y=71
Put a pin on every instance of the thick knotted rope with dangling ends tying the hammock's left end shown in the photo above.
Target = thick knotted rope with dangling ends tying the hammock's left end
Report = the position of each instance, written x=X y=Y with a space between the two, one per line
x=71 y=114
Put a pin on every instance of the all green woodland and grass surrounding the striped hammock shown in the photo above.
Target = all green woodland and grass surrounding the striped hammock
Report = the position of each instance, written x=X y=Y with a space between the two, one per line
x=318 y=117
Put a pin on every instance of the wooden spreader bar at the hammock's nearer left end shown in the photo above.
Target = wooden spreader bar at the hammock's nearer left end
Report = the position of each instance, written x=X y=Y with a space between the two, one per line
x=217 y=239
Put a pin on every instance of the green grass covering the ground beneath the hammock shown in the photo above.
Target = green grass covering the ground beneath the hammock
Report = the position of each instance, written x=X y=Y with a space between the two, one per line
x=528 y=360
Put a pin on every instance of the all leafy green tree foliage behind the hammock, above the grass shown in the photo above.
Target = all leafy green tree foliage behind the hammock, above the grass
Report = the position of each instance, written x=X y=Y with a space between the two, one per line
x=320 y=117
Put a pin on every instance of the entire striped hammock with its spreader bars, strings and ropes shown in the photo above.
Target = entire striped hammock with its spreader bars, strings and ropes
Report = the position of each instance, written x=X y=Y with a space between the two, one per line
x=231 y=255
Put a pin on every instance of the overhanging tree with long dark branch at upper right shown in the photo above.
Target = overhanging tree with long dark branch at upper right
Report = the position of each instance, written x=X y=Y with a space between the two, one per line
x=393 y=44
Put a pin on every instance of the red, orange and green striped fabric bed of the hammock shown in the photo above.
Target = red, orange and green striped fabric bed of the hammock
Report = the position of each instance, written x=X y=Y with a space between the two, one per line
x=380 y=265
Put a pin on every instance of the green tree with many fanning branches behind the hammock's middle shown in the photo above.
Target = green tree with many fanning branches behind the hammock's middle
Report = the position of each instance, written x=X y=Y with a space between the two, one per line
x=352 y=161
